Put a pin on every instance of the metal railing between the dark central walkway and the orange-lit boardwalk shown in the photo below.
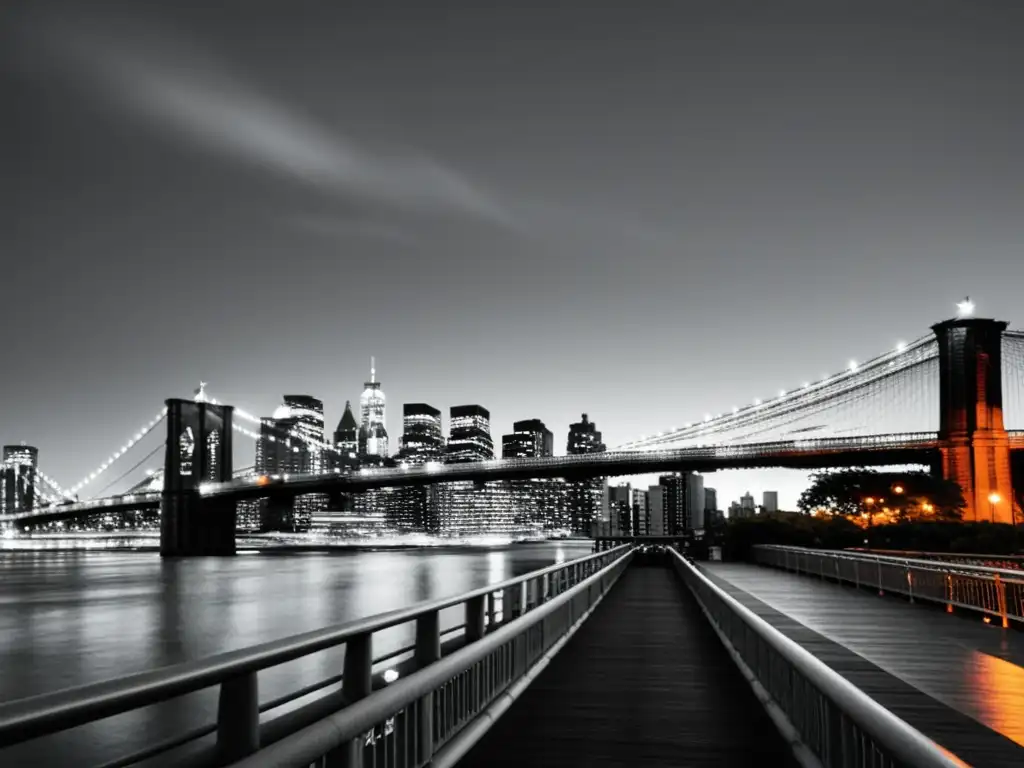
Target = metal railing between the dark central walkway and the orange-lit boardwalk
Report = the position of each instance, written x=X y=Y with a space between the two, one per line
x=830 y=720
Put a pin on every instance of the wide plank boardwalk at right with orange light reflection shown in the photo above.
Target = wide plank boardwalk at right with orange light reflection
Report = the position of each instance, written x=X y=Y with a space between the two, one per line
x=956 y=679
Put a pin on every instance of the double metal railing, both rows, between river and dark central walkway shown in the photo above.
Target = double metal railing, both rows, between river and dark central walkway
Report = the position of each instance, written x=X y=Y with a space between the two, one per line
x=508 y=628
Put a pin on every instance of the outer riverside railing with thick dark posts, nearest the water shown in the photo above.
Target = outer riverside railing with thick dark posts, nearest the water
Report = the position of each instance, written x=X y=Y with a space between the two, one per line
x=239 y=730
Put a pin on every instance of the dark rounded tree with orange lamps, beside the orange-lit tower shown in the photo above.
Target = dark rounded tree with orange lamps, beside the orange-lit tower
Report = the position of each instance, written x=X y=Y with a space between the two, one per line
x=897 y=496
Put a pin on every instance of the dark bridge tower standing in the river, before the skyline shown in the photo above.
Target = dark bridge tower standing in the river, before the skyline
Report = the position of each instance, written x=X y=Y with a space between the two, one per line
x=199 y=451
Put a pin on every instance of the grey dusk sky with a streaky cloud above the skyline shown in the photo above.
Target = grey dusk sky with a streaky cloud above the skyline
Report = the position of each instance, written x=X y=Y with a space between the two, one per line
x=645 y=211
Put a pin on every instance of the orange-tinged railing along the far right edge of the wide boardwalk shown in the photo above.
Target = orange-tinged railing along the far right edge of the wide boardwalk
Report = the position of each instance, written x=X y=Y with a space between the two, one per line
x=995 y=592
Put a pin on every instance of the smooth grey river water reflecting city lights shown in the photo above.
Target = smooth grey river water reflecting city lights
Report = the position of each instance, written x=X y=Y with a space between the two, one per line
x=72 y=618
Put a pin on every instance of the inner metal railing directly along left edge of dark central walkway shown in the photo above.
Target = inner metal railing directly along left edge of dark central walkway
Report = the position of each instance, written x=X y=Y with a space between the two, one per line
x=436 y=714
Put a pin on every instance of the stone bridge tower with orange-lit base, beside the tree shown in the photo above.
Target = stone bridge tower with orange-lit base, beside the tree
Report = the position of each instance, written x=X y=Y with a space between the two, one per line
x=973 y=441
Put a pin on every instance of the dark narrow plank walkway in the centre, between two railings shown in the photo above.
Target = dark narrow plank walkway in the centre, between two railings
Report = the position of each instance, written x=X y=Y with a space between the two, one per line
x=645 y=682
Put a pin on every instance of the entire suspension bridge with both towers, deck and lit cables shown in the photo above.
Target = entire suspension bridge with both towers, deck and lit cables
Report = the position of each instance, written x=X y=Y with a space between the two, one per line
x=952 y=401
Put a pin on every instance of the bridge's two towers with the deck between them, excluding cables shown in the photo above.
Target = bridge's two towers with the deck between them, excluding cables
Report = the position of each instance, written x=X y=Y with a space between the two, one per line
x=972 y=448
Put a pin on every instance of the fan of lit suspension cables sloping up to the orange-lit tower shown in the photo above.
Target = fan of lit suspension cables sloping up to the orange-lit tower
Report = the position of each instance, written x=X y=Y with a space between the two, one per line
x=911 y=374
